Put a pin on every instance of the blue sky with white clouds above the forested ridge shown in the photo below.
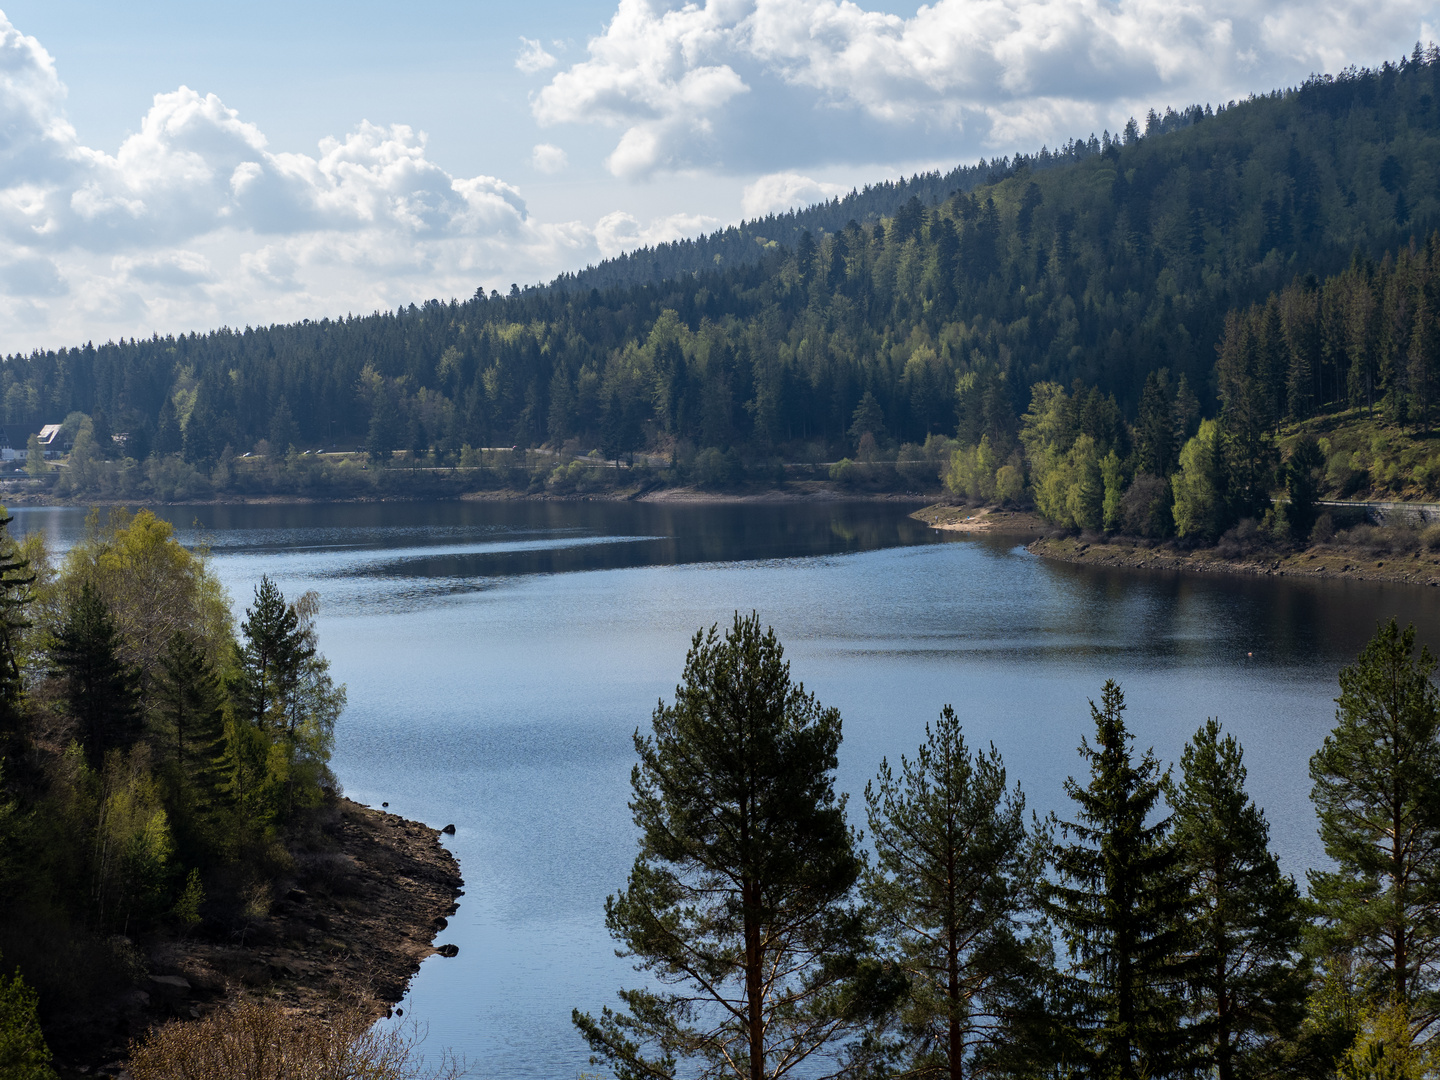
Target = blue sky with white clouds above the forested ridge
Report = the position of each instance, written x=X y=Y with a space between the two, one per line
x=176 y=166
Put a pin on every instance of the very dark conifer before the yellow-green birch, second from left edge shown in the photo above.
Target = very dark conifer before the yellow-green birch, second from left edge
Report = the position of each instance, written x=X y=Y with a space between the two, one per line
x=100 y=689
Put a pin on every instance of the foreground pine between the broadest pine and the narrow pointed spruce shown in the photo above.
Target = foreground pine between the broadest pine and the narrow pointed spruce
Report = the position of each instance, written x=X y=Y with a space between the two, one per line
x=951 y=886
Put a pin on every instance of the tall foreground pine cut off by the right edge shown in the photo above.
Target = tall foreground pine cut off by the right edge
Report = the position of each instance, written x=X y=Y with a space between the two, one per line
x=1377 y=786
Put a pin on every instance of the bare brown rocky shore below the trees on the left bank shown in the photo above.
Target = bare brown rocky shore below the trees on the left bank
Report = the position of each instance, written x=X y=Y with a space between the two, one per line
x=351 y=927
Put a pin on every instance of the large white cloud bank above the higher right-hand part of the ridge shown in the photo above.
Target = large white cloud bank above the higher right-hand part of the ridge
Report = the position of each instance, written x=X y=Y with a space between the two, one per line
x=984 y=71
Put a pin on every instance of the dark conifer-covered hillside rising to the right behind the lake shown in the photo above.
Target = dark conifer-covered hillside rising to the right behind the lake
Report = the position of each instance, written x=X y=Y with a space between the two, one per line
x=1124 y=258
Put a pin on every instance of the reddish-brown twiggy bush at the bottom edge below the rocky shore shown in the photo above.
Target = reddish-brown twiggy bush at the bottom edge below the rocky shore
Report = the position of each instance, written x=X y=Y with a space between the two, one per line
x=261 y=1042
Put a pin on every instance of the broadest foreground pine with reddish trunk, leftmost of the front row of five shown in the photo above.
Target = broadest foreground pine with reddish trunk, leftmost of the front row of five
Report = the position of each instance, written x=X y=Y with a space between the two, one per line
x=738 y=906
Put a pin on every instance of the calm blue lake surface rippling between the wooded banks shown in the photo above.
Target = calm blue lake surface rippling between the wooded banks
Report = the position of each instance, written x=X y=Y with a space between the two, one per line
x=500 y=657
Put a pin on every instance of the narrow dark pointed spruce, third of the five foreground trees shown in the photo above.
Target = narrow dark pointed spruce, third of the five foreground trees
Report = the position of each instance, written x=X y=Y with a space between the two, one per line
x=1122 y=908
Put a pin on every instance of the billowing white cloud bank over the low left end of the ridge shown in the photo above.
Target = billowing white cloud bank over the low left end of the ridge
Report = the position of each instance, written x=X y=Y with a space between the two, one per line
x=197 y=221
